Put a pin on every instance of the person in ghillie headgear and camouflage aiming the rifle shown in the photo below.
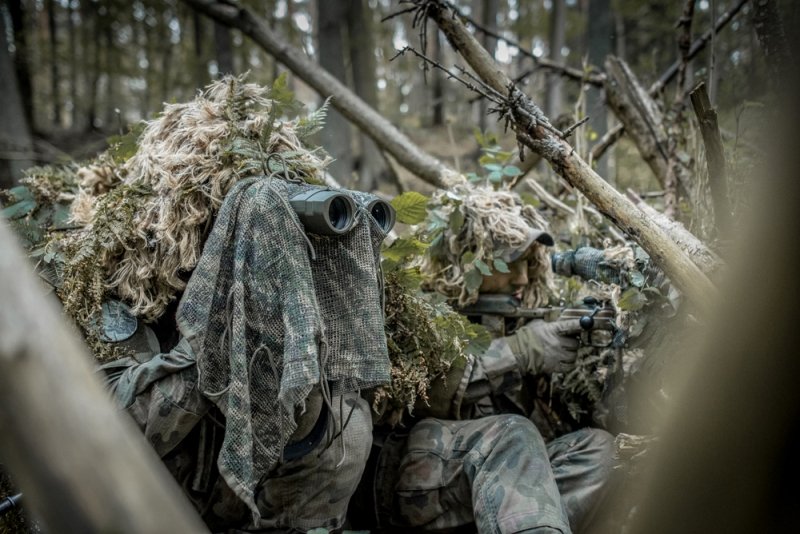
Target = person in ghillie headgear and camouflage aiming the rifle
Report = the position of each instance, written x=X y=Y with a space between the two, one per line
x=478 y=457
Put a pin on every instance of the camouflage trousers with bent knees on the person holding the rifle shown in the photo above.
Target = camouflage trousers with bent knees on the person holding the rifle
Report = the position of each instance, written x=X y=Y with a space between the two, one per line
x=498 y=473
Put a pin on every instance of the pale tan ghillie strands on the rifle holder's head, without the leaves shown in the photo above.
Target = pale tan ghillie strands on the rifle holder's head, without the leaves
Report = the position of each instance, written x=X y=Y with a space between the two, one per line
x=491 y=218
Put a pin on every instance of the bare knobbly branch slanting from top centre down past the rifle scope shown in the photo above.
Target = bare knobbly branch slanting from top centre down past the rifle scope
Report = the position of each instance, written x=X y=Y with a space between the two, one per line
x=534 y=131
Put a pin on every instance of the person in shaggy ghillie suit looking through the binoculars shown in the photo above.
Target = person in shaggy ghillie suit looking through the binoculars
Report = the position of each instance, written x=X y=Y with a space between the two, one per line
x=221 y=325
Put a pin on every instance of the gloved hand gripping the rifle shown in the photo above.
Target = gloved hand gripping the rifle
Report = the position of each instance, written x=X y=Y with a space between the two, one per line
x=546 y=347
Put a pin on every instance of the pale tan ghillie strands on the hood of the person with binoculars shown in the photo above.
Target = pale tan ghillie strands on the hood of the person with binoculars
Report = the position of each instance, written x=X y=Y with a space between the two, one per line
x=187 y=160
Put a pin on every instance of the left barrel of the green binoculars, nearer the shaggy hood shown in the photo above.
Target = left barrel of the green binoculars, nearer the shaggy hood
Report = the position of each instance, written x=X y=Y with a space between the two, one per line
x=323 y=211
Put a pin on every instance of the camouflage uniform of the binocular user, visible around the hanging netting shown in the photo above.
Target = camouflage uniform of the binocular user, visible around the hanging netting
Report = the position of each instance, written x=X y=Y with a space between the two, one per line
x=160 y=392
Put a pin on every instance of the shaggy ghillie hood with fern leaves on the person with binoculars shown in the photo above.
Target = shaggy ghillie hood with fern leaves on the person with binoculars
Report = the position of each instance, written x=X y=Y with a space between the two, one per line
x=139 y=214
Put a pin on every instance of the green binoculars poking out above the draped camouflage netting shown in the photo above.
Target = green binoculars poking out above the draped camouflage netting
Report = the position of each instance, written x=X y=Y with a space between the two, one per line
x=331 y=212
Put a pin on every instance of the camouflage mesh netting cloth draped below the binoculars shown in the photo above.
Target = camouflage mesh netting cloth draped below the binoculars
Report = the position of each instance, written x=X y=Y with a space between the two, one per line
x=271 y=314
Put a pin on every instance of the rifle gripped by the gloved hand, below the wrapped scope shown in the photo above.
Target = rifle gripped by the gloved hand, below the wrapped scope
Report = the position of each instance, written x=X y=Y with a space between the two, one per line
x=594 y=316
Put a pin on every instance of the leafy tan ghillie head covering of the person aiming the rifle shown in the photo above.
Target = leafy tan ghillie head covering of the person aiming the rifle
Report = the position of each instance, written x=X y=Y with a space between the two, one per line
x=475 y=231
